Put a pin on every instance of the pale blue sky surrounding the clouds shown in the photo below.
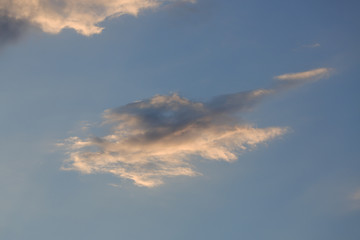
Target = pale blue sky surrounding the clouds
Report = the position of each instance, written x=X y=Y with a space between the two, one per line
x=304 y=184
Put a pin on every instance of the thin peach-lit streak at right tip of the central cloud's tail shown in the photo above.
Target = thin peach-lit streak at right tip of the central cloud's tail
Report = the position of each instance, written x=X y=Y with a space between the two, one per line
x=313 y=74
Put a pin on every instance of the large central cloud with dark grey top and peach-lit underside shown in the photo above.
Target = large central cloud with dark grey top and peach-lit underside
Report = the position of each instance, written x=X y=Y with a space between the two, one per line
x=161 y=137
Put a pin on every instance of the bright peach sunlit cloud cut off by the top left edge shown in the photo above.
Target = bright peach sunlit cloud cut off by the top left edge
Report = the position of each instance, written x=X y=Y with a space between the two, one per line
x=84 y=16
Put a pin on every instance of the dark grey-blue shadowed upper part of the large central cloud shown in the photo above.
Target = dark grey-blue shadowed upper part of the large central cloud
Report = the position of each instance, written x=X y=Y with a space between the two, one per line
x=164 y=116
